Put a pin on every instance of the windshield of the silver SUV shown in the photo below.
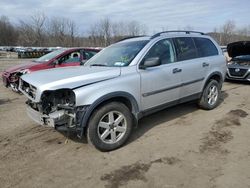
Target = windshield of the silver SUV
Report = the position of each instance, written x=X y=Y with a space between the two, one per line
x=117 y=55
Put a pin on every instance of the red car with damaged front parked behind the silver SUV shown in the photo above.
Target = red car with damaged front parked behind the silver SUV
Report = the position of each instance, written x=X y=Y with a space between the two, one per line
x=59 y=58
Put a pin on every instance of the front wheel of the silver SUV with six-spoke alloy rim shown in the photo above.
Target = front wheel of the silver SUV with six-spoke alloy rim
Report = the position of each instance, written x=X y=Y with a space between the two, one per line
x=109 y=126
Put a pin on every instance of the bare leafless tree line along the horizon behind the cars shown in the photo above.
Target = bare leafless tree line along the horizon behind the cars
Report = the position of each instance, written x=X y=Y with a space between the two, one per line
x=40 y=30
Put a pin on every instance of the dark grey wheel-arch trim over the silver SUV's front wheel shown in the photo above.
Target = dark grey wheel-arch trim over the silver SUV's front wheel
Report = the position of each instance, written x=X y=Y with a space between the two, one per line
x=92 y=107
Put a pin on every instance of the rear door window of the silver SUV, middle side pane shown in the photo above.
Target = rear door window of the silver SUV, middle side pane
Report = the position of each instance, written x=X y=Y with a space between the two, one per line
x=185 y=48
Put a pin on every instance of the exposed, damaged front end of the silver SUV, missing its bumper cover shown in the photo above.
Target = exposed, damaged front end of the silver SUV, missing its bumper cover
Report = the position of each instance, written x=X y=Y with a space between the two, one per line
x=57 y=109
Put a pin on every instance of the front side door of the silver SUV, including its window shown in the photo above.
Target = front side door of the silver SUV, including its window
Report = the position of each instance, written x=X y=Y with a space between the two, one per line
x=160 y=85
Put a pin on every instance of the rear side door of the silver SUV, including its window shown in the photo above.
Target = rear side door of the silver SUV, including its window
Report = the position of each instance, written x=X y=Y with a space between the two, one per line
x=193 y=68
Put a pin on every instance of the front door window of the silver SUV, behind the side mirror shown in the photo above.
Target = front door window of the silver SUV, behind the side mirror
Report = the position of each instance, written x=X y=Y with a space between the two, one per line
x=164 y=50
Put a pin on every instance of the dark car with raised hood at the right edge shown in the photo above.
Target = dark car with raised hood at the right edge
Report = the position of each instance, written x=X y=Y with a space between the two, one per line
x=239 y=66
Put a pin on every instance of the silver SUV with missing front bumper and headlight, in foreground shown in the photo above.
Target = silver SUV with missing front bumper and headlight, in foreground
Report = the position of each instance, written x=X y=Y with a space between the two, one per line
x=107 y=96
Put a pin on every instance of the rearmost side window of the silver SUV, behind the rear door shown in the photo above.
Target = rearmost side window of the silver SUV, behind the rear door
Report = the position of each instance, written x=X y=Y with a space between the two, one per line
x=205 y=47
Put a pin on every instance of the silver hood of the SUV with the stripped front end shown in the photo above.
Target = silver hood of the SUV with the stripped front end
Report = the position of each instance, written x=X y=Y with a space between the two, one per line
x=69 y=77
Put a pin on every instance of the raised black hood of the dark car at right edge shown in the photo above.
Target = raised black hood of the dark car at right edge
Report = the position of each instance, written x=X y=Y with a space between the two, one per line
x=238 y=48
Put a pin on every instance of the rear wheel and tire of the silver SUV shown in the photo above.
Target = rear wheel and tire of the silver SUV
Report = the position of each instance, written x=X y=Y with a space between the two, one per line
x=210 y=96
